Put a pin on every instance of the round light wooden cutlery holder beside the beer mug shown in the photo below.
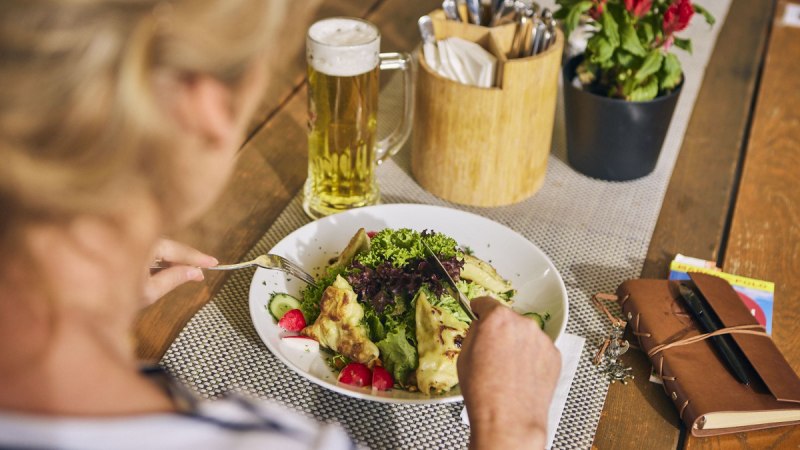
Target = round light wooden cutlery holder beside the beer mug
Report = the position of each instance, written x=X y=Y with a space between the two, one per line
x=485 y=146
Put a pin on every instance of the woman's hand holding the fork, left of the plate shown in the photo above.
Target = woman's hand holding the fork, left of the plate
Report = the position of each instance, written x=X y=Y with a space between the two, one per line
x=183 y=264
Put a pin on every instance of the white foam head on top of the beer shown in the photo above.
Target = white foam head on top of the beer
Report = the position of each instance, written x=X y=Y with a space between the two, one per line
x=342 y=47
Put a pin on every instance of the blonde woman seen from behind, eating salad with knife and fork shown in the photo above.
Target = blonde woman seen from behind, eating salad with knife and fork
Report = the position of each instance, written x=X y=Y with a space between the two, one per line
x=119 y=122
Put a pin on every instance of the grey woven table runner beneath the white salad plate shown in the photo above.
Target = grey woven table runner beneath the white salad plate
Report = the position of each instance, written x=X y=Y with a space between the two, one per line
x=597 y=234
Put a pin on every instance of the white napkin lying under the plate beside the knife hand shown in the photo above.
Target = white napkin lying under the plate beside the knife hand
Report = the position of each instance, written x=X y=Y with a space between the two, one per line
x=571 y=347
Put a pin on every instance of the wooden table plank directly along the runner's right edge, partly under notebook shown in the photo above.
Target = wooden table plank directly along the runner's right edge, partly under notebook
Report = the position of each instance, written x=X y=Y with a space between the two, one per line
x=693 y=215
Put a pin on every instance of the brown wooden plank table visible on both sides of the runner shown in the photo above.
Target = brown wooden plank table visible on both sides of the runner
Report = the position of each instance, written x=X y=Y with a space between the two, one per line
x=734 y=196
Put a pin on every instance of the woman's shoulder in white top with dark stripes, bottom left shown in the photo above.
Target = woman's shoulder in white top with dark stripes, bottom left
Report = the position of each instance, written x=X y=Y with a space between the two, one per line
x=230 y=423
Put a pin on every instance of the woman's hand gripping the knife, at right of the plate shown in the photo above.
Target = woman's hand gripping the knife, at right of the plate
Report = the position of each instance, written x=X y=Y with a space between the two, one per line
x=507 y=370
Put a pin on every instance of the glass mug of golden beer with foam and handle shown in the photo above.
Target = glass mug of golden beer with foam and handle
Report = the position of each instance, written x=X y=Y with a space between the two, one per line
x=343 y=65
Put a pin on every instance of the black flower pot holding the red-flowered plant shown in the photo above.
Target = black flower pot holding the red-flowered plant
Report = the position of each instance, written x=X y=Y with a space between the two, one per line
x=614 y=139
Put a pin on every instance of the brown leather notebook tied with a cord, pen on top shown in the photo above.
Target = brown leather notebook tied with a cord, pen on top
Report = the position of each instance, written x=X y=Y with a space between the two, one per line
x=709 y=399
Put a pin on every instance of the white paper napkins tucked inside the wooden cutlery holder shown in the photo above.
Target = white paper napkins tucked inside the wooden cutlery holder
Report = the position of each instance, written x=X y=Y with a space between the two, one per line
x=461 y=60
